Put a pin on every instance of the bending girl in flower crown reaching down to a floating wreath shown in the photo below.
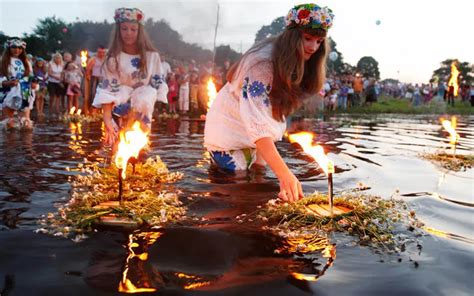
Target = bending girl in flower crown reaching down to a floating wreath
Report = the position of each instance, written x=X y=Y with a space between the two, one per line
x=264 y=87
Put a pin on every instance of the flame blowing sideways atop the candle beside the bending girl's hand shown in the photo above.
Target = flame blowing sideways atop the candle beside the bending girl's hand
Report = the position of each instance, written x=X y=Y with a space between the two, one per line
x=305 y=139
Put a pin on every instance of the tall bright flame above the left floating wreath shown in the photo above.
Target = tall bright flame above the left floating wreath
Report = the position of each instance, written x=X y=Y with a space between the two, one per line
x=131 y=142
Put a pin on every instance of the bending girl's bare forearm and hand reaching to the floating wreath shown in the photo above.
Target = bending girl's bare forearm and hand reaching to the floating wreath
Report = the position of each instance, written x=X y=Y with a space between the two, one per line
x=290 y=188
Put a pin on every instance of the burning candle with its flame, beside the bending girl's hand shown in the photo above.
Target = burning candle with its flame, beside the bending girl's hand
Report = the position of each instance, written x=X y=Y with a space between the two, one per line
x=305 y=140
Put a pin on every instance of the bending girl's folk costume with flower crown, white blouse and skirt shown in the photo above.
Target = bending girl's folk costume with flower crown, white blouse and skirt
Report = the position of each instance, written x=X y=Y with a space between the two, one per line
x=241 y=114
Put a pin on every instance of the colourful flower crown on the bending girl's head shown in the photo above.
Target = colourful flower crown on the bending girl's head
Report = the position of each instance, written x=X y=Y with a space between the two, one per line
x=310 y=16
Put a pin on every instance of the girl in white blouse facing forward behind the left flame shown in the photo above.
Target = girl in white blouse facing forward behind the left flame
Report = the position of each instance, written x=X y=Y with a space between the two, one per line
x=132 y=77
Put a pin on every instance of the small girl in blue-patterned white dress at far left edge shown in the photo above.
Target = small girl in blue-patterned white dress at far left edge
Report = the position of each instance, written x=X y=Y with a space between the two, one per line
x=17 y=92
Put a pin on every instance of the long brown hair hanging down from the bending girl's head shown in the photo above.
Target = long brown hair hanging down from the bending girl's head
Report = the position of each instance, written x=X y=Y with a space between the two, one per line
x=292 y=75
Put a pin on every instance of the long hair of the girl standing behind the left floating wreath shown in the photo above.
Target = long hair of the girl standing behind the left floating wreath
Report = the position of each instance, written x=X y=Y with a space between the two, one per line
x=143 y=44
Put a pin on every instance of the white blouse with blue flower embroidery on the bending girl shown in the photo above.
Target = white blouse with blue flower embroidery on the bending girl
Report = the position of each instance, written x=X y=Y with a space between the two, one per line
x=241 y=114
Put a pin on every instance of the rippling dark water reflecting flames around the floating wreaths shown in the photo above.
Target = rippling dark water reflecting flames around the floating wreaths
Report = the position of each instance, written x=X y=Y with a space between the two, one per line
x=221 y=256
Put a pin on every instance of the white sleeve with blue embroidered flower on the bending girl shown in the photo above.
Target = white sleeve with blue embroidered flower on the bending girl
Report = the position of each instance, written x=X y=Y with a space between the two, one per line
x=255 y=108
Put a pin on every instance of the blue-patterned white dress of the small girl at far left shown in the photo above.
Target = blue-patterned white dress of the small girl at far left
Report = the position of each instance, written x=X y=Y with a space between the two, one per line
x=20 y=96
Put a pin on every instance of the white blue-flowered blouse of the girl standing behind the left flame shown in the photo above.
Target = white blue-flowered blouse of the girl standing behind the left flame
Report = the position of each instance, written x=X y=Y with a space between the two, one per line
x=126 y=87
